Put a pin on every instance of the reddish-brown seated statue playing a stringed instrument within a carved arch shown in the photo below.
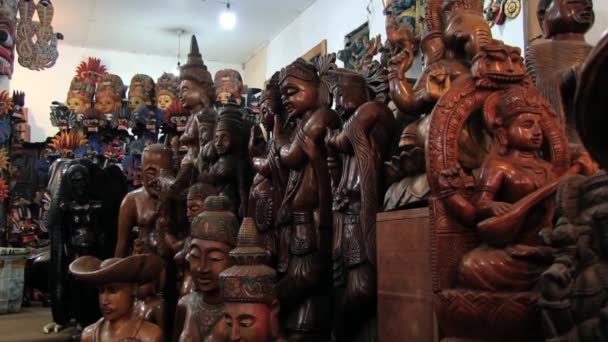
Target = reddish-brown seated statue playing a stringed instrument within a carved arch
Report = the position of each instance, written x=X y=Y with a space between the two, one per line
x=488 y=225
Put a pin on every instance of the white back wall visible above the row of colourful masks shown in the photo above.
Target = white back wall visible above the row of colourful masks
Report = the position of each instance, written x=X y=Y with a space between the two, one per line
x=43 y=87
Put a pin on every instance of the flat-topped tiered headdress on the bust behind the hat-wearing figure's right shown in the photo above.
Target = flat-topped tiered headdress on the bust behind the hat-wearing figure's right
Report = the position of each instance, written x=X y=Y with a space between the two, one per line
x=217 y=222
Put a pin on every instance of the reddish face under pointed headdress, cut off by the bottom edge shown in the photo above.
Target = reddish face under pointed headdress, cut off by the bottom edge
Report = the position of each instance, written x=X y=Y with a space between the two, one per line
x=250 y=322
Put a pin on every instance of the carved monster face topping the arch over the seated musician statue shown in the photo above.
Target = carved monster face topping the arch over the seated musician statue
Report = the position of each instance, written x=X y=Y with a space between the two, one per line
x=498 y=65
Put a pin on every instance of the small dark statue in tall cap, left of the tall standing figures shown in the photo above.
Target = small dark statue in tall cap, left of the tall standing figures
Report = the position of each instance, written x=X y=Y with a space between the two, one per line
x=230 y=172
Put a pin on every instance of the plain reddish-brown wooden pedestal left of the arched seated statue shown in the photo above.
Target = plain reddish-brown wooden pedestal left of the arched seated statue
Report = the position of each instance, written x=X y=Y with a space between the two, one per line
x=405 y=307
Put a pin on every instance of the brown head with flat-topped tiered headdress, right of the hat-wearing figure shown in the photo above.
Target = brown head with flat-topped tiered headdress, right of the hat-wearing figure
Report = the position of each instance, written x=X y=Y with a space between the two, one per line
x=214 y=233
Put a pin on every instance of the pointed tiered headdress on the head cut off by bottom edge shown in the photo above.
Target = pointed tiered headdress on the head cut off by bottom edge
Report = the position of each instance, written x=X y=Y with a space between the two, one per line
x=250 y=280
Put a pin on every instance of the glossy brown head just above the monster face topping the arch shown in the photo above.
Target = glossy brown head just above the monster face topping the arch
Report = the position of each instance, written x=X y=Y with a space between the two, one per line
x=467 y=31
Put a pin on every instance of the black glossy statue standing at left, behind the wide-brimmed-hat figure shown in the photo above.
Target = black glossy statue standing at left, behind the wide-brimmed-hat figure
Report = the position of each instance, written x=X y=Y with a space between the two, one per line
x=81 y=221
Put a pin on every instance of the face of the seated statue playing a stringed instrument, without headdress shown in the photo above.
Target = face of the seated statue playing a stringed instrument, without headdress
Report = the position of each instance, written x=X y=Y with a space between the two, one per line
x=524 y=132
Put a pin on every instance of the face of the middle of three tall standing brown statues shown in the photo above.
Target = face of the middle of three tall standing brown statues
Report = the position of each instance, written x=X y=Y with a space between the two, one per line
x=298 y=96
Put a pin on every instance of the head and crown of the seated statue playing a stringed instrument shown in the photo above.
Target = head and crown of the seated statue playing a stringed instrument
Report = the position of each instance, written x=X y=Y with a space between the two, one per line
x=513 y=116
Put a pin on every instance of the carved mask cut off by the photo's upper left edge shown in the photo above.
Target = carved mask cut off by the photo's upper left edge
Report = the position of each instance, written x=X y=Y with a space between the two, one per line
x=8 y=23
